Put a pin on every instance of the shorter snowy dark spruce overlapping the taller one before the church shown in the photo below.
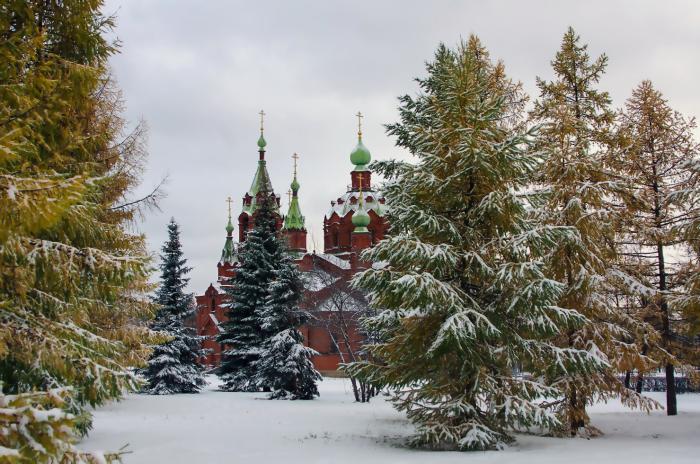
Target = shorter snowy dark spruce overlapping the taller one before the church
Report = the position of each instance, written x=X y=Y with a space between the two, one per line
x=285 y=363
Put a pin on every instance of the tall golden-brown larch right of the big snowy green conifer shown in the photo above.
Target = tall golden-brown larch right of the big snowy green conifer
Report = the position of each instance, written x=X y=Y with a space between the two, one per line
x=575 y=132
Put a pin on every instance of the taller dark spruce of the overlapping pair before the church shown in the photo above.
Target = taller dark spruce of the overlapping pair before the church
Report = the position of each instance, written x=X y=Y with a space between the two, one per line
x=247 y=292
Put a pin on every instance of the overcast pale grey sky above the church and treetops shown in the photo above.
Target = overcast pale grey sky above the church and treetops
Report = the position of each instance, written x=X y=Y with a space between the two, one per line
x=199 y=71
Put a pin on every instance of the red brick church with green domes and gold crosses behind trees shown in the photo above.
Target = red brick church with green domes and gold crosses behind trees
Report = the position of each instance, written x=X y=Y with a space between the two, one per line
x=354 y=221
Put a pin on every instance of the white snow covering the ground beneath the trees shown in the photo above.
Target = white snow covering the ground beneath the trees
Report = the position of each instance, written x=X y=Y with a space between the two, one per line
x=221 y=427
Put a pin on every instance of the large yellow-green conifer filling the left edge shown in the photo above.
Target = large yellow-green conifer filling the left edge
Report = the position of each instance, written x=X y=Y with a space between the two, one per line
x=73 y=279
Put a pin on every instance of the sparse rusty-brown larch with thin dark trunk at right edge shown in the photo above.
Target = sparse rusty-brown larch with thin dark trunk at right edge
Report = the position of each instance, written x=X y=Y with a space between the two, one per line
x=660 y=161
